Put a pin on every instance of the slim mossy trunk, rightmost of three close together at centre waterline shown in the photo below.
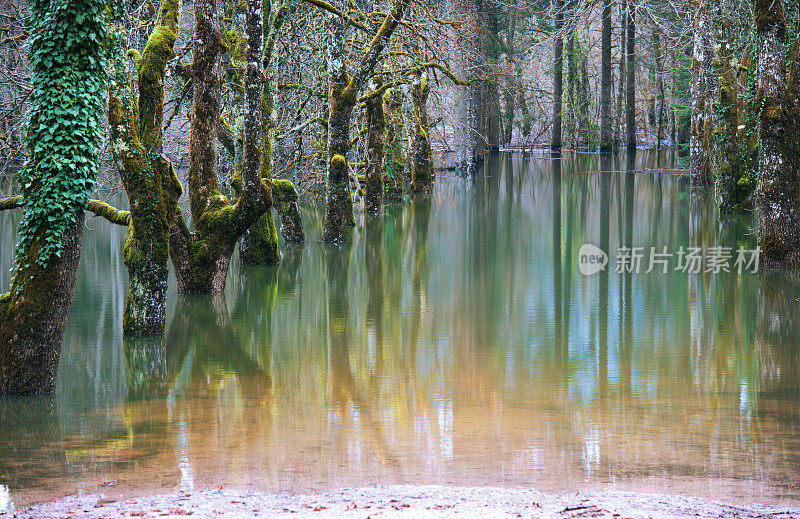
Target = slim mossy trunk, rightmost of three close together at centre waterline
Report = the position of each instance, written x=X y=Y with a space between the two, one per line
x=421 y=153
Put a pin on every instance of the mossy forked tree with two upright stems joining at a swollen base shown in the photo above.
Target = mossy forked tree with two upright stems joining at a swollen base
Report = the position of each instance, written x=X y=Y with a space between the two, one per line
x=202 y=258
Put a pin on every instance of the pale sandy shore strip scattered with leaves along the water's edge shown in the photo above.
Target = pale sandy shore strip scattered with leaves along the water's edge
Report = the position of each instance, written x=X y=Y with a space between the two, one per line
x=401 y=501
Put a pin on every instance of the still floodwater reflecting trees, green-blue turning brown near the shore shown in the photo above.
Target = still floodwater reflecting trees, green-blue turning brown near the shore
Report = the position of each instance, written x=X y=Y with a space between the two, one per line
x=454 y=341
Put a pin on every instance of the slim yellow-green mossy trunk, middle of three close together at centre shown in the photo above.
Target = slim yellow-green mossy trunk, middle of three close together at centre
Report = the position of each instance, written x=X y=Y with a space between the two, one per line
x=394 y=163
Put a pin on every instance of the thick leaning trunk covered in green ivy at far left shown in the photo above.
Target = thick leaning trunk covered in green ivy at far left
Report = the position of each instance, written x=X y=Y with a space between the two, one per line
x=64 y=137
